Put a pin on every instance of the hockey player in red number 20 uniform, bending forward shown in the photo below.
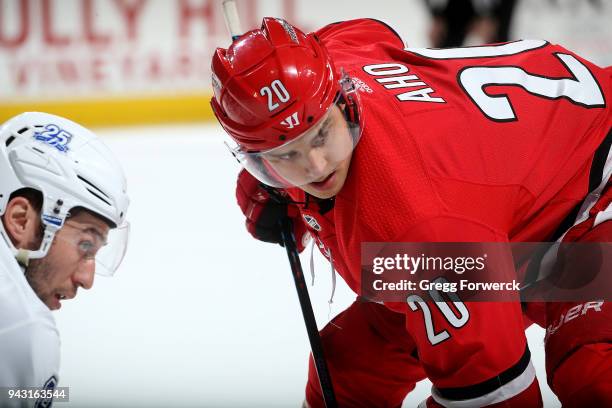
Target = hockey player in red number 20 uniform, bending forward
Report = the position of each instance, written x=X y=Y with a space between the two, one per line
x=373 y=142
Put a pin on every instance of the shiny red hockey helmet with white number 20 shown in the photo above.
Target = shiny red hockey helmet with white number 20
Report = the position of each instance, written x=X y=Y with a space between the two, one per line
x=271 y=86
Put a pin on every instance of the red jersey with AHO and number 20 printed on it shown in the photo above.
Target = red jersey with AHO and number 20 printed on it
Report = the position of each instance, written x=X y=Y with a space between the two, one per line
x=484 y=144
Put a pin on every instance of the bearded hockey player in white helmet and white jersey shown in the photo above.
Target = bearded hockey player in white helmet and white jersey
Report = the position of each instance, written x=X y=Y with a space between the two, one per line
x=63 y=204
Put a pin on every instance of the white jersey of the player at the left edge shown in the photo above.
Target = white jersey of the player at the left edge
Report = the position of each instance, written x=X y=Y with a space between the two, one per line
x=29 y=339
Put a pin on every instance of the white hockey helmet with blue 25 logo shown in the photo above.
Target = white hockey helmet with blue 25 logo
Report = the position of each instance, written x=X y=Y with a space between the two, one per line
x=71 y=167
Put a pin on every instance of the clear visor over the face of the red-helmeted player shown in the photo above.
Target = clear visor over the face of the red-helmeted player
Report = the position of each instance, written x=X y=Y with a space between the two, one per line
x=313 y=155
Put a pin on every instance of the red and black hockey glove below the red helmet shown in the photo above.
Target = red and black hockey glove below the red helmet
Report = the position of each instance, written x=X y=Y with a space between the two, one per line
x=264 y=208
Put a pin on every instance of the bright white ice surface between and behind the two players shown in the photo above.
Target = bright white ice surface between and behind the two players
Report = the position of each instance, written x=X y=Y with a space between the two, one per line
x=199 y=314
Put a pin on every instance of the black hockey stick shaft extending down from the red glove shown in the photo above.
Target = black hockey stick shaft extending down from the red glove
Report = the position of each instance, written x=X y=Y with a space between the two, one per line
x=311 y=325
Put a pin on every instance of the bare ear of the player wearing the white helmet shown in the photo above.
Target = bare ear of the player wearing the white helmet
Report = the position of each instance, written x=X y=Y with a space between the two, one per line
x=21 y=222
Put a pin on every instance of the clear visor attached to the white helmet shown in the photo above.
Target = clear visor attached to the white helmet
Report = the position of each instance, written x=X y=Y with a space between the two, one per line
x=107 y=248
